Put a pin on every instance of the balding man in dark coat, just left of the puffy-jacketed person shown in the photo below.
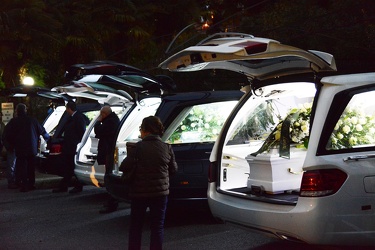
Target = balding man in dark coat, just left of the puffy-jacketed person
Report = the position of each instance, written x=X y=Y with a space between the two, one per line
x=106 y=130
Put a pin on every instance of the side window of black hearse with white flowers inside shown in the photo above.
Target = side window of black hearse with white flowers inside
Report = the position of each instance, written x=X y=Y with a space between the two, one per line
x=200 y=123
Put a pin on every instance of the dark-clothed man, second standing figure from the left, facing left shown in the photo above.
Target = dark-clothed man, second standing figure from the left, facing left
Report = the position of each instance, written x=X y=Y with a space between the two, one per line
x=72 y=133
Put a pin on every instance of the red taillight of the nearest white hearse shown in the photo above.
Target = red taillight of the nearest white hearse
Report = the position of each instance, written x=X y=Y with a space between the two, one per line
x=322 y=182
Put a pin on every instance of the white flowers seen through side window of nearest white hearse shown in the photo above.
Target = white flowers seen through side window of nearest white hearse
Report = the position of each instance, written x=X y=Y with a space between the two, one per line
x=353 y=128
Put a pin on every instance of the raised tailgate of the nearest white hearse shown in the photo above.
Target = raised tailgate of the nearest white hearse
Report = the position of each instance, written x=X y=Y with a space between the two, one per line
x=257 y=58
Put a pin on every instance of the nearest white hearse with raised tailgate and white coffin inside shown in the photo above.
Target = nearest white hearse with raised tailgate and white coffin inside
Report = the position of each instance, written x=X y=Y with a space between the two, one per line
x=296 y=157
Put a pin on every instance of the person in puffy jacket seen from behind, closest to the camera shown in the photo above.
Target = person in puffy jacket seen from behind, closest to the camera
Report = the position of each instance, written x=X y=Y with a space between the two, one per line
x=154 y=163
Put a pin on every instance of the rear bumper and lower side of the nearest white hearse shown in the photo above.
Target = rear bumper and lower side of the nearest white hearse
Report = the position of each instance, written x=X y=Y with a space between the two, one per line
x=313 y=220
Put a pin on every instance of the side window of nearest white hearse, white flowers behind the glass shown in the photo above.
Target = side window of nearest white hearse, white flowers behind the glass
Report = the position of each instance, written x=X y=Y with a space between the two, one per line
x=356 y=126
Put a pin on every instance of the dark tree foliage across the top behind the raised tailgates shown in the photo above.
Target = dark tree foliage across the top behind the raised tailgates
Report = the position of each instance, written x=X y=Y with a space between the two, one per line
x=45 y=37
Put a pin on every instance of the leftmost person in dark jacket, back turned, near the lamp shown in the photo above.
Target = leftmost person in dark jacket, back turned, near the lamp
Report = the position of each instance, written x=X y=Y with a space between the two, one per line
x=22 y=134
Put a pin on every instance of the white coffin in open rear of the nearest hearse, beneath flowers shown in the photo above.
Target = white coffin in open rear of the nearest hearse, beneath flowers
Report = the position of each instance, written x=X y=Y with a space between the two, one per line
x=275 y=174
